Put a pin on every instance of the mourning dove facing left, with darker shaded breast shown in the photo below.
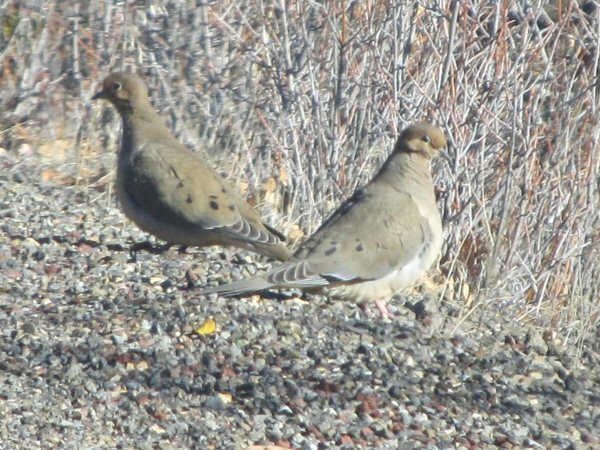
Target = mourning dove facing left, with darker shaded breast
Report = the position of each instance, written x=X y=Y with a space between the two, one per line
x=172 y=192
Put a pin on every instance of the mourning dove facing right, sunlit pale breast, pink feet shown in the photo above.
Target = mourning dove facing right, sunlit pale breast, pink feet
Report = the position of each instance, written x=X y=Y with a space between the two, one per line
x=379 y=241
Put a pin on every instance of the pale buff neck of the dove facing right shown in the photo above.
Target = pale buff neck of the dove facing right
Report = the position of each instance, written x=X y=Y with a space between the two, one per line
x=408 y=172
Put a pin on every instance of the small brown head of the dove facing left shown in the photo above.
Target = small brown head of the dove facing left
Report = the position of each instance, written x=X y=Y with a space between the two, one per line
x=124 y=90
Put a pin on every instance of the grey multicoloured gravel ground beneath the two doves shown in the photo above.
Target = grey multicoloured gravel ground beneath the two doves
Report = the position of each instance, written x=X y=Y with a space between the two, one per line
x=100 y=349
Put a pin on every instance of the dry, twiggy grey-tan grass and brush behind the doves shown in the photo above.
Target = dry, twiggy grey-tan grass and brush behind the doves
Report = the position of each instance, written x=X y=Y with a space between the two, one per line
x=301 y=101
